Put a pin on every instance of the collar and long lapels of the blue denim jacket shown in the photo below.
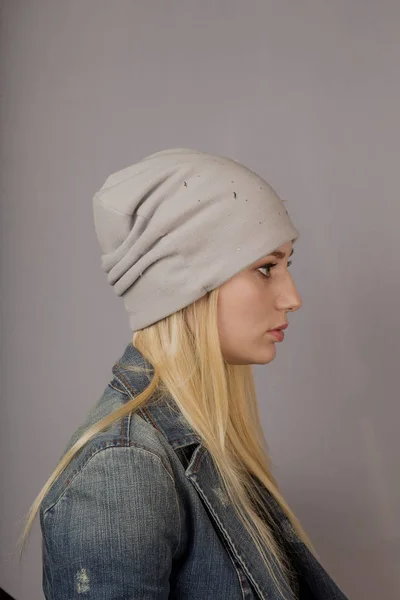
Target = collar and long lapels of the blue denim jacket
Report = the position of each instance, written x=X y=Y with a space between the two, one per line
x=165 y=416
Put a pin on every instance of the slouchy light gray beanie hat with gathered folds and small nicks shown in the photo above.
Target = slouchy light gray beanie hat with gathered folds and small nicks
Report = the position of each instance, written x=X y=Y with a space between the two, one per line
x=178 y=224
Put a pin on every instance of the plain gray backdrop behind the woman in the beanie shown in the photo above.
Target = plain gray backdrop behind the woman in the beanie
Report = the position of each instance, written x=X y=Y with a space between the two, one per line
x=307 y=93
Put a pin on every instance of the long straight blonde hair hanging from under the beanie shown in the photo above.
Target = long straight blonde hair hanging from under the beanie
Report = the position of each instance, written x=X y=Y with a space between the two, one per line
x=219 y=402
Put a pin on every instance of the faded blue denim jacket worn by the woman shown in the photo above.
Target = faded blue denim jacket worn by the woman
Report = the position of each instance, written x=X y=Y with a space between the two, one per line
x=139 y=513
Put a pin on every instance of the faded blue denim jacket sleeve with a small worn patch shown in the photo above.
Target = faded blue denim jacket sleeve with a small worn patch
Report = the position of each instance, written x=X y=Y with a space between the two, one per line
x=114 y=530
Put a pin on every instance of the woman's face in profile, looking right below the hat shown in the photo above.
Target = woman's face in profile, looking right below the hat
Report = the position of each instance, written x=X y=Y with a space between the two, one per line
x=252 y=303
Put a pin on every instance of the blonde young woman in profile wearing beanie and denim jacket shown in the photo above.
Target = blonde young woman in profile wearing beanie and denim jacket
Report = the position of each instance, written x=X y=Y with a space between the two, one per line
x=166 y=490
